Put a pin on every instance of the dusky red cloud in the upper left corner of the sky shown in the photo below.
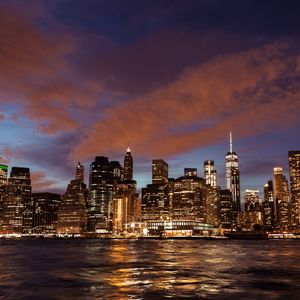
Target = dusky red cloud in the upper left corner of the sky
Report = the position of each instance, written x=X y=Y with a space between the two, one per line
x=35 y=73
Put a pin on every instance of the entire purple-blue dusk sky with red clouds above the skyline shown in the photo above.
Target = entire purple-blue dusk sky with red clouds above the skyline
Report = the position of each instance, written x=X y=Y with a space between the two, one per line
x=170 y=79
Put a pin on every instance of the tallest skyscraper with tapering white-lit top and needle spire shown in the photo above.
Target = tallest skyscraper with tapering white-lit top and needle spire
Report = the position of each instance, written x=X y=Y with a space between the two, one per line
x=233 y=180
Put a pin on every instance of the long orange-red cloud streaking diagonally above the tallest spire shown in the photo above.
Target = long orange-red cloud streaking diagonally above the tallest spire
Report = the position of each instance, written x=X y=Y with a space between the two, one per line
x=240 y=91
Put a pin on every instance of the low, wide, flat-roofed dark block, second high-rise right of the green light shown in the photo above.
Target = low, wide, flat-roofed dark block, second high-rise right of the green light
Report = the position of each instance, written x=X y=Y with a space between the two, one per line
x=40 y=213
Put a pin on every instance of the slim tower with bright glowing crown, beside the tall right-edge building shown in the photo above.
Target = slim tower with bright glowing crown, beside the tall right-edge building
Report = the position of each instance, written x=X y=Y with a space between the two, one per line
x=281 y=197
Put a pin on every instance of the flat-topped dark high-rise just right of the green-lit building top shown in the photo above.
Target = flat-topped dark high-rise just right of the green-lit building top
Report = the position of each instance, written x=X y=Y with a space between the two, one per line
x=19 y=184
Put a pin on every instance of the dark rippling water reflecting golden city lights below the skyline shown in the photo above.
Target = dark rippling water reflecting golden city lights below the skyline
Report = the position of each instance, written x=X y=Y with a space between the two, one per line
x=149 y=269
